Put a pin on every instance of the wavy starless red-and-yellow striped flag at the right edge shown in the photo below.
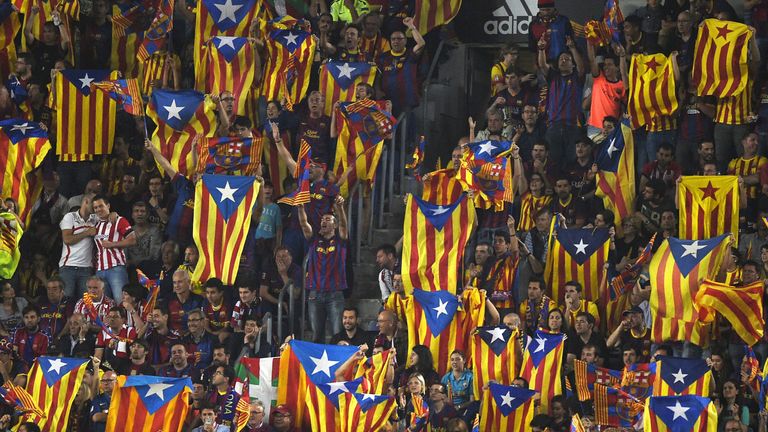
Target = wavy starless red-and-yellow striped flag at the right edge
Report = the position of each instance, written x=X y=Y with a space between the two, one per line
x=742 y=306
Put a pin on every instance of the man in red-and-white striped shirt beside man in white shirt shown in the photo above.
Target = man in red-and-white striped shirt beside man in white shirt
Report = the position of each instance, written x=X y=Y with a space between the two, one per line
x=112 y=237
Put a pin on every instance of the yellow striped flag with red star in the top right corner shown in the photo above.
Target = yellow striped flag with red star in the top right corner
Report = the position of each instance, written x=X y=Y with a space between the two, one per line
x=720 y=66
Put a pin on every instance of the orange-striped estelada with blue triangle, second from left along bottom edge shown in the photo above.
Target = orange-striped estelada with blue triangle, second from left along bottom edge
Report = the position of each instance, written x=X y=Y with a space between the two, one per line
x=149 y=404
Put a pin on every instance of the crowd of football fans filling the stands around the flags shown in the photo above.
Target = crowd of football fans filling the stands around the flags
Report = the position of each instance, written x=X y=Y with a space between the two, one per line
x=96 y=222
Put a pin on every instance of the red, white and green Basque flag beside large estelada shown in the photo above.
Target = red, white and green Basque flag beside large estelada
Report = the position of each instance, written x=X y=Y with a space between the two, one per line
x=262 y=375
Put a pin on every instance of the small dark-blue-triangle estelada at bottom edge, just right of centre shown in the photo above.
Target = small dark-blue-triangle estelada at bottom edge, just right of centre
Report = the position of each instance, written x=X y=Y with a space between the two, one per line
x=506 y=408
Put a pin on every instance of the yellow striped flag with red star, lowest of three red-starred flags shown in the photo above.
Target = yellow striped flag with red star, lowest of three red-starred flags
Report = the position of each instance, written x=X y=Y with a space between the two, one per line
x=709 y=206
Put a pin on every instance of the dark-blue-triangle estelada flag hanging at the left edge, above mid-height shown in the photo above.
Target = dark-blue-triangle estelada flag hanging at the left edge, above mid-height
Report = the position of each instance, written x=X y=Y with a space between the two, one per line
x=23 y=146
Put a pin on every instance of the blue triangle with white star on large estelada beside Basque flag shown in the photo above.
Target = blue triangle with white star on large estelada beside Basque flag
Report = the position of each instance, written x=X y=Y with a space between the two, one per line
x=320 y=361
